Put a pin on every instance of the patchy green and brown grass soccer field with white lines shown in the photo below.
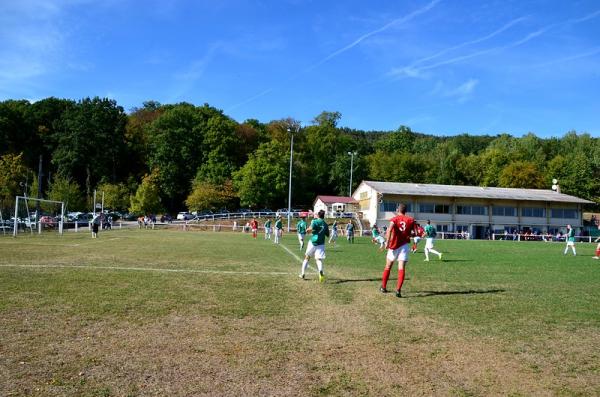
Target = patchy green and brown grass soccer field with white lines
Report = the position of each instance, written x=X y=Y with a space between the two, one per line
x=158 y=312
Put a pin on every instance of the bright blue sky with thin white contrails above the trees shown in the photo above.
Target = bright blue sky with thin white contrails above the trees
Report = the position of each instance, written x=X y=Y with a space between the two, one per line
x=441 y=67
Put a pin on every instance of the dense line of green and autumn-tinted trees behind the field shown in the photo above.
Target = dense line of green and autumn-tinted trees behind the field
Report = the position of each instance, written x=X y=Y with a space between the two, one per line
x=167 y=157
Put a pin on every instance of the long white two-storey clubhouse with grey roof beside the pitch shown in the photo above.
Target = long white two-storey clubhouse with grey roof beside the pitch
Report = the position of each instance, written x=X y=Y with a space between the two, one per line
x=478 y=211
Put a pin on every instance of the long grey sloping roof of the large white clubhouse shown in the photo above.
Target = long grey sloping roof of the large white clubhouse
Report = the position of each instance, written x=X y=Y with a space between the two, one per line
x=496 y=193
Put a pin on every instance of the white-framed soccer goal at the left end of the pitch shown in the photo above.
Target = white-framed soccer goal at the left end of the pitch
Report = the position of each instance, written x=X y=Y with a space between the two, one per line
x=34 y=215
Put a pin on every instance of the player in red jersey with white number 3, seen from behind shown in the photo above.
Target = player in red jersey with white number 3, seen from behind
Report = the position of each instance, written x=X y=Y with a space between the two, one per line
x=398 y=235
